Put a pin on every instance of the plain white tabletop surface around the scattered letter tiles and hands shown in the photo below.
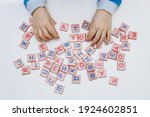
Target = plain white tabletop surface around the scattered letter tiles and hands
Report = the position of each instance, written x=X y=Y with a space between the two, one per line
x=134 y=82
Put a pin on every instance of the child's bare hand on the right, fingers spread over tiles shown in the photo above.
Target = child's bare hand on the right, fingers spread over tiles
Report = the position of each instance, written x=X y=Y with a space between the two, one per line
x=100 y=28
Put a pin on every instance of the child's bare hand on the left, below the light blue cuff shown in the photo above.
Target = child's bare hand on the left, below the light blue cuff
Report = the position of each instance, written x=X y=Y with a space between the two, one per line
x=43 y=25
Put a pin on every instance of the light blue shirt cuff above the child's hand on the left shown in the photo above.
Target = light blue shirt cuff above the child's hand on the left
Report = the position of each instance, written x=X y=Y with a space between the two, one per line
x=34 y=4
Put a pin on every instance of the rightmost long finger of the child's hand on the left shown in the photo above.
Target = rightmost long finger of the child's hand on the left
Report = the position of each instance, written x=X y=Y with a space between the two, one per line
x=51 y=29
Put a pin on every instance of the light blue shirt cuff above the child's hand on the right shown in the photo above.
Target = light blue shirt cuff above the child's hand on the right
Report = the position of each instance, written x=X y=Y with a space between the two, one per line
x=107 y=6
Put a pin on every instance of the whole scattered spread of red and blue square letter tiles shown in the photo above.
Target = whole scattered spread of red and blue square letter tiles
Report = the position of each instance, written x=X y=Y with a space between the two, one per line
x=78 y=59
